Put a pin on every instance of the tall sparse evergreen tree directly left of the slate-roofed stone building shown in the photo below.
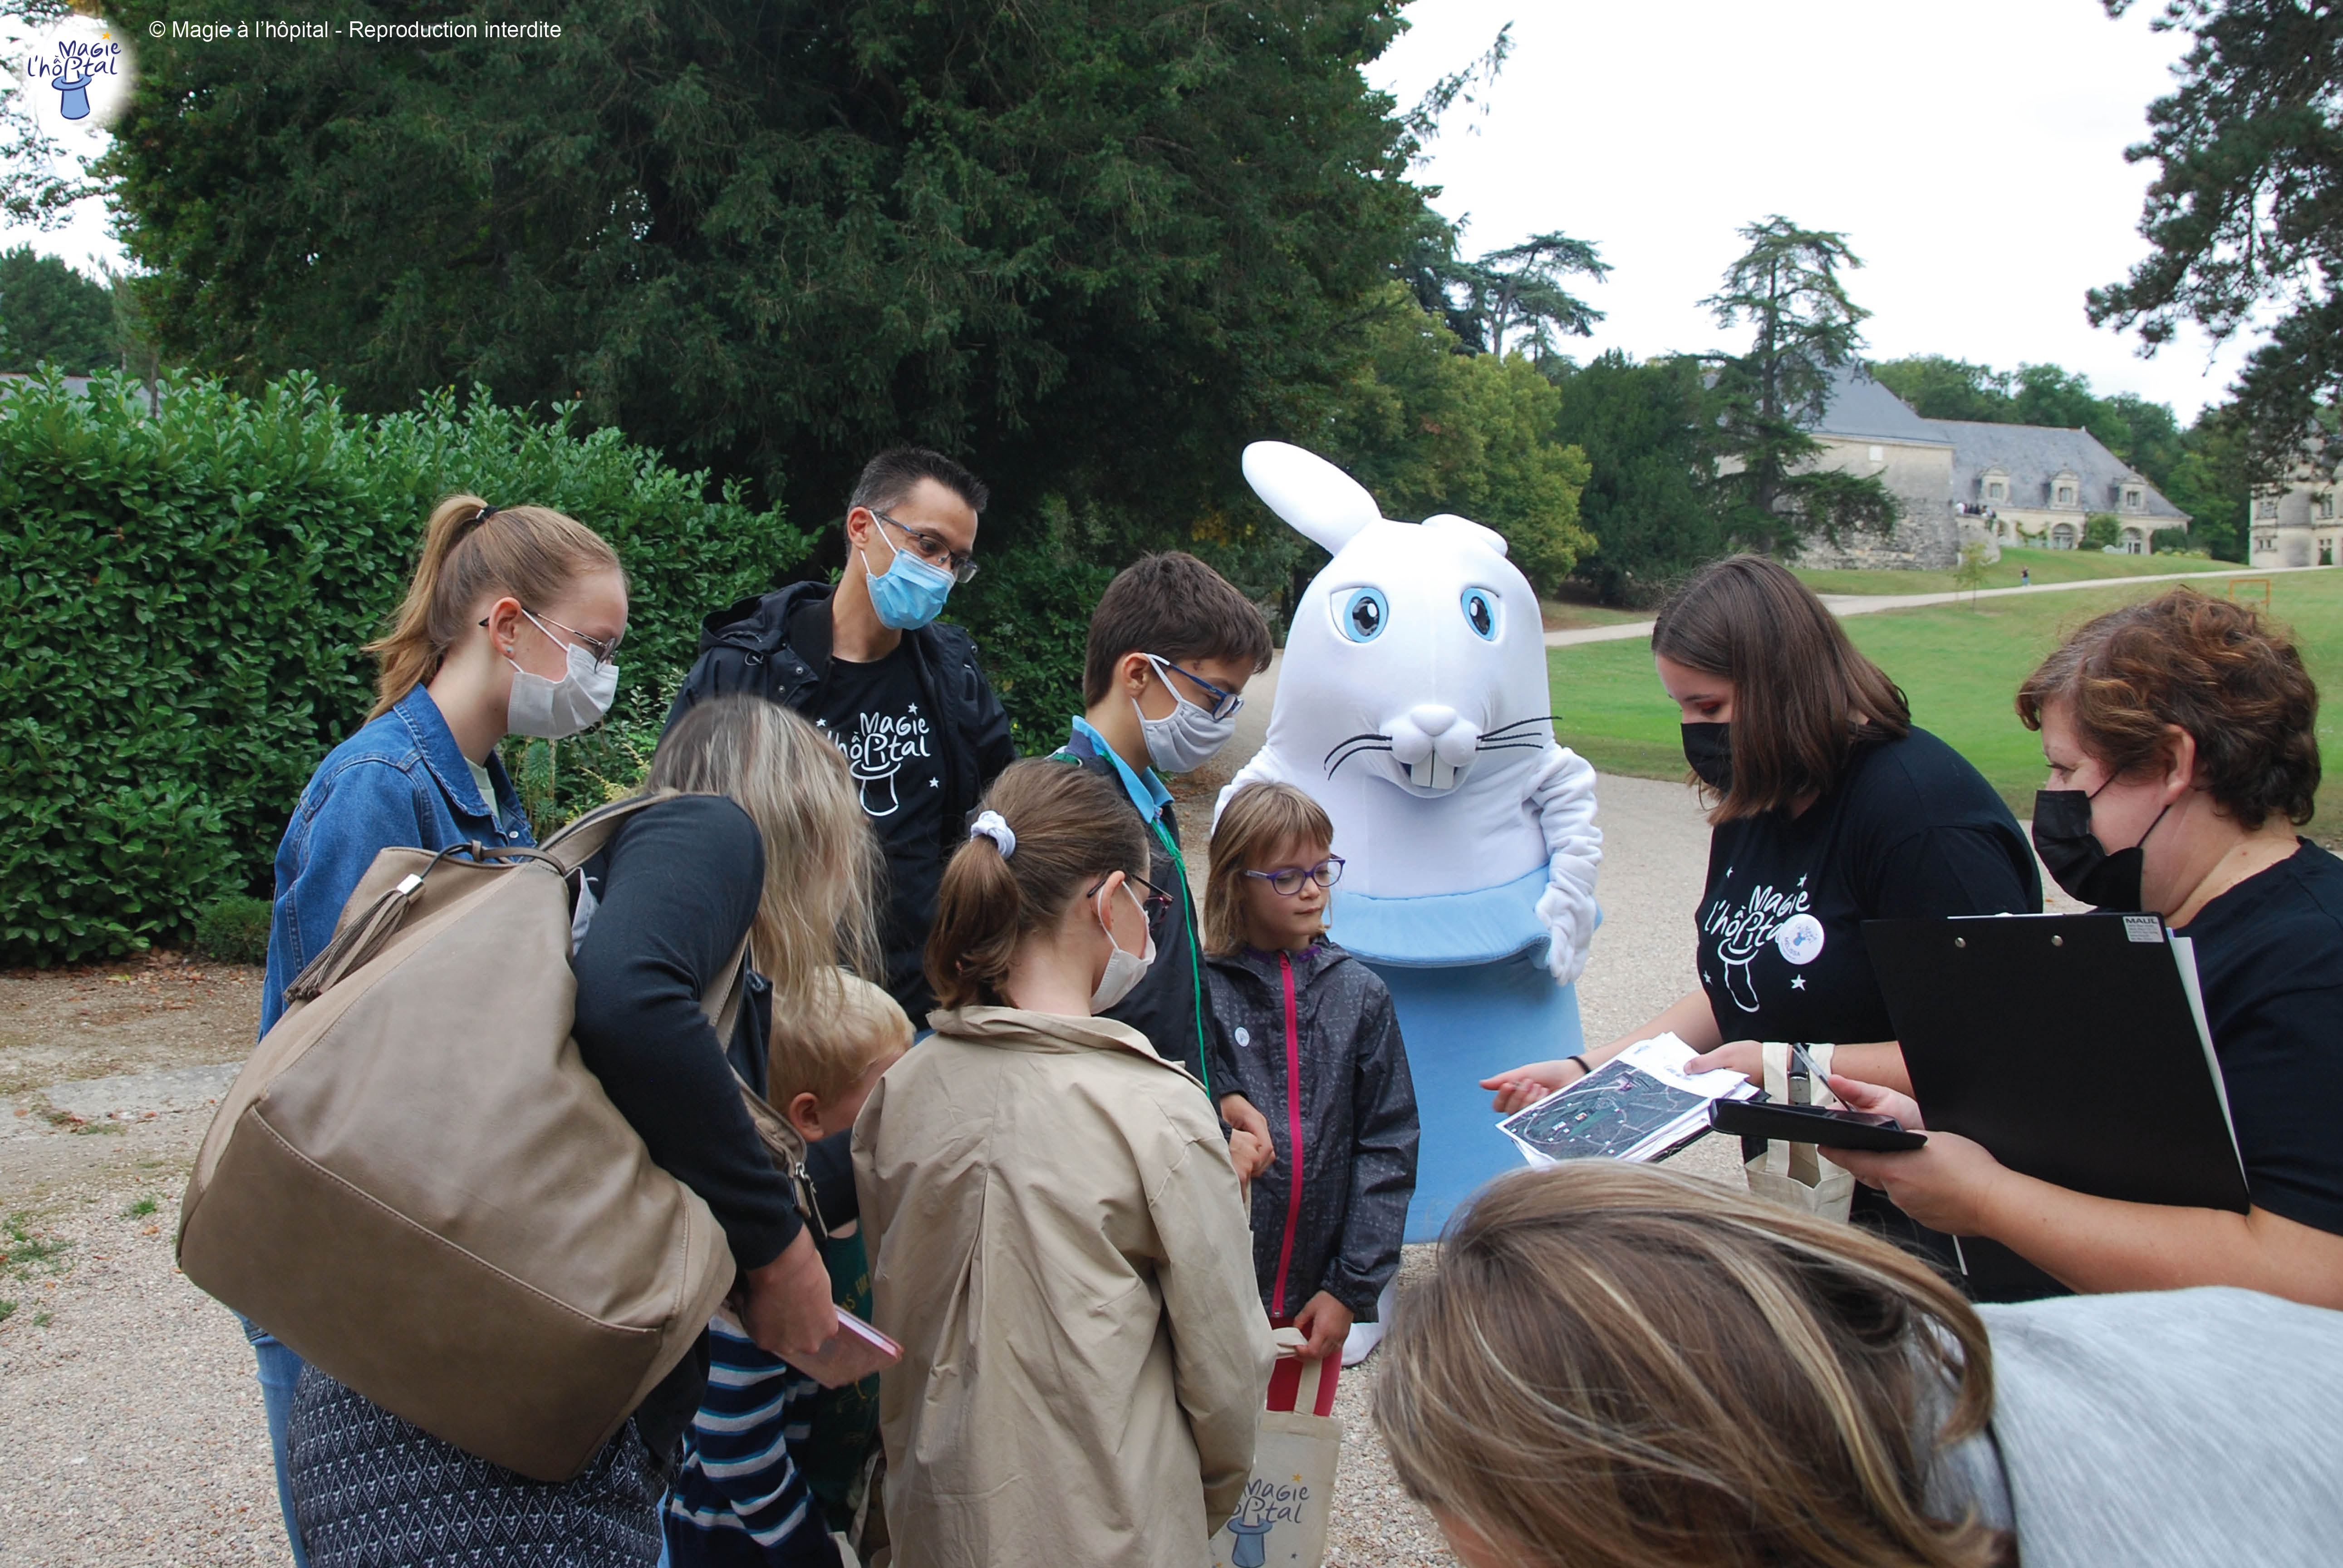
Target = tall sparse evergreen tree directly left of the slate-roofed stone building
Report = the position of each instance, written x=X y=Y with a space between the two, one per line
x=1789 y=289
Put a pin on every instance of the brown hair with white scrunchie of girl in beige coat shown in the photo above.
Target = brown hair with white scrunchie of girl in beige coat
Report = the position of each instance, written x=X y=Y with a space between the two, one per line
x=1072 y=831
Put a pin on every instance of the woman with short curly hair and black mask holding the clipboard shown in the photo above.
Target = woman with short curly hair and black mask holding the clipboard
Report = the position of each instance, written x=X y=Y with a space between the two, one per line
x=2183 y=746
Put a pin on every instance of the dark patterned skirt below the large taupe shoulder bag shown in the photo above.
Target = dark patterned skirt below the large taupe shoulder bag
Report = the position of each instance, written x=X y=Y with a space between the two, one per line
x=374 y=1492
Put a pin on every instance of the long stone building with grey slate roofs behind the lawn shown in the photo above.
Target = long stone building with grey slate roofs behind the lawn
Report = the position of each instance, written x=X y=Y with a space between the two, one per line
x=1965 y=479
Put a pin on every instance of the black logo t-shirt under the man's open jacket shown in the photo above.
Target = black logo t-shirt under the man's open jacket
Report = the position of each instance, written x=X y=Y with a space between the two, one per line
x=880 y=718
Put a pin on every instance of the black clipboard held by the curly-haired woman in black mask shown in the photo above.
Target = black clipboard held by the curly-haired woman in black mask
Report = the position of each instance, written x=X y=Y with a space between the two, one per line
x=2072 y=1049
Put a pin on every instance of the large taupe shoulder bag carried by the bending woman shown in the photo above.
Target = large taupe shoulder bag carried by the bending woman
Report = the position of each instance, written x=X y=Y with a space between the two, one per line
x=423 y=1192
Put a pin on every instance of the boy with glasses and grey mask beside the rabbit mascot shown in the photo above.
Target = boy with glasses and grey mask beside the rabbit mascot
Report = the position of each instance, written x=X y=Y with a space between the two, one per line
x=1163 y=679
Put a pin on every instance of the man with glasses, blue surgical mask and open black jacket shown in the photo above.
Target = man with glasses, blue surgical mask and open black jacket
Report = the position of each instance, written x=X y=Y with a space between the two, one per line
x=901 y=695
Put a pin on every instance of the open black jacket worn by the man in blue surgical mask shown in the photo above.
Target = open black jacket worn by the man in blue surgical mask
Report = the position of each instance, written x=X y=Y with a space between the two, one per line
x=779 y=648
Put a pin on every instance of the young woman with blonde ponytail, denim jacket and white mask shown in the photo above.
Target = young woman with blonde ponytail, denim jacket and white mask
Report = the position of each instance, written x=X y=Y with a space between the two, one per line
x=510 y=627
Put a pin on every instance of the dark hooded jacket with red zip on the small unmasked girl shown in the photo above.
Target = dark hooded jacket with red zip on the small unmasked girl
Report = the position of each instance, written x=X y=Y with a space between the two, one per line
x=1341 y=1049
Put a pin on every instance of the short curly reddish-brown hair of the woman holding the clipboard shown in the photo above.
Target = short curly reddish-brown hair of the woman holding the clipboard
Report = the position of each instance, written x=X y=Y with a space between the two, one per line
x=2208 y=667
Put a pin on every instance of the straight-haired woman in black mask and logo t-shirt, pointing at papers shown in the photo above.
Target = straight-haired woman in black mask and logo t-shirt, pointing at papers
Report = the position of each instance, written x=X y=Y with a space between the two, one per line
x=1831 y=810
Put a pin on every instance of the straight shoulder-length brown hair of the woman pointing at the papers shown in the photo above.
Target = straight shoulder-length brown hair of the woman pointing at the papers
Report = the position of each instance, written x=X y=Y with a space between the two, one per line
x=1805 y=702
